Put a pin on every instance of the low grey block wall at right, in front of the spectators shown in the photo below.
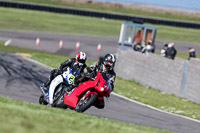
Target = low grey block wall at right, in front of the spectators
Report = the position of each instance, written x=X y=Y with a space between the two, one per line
x=179 y=77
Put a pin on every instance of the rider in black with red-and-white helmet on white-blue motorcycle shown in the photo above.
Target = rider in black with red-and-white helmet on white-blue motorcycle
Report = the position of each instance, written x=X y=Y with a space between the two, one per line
x=78 y=62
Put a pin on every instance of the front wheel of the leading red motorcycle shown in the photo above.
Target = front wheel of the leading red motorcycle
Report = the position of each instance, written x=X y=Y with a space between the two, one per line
x=85 y=103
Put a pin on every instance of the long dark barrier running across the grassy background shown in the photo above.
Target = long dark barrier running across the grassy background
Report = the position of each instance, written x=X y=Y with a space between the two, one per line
x=98 y=14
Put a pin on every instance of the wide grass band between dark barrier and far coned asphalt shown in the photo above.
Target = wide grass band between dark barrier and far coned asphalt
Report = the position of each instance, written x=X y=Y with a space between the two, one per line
x=16 y=19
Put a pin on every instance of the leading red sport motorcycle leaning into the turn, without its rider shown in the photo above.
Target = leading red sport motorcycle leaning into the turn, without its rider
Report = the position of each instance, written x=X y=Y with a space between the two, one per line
x=86 y=94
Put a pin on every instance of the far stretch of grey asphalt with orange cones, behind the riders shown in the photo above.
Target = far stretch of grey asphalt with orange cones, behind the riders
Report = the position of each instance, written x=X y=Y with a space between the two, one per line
x=50 y=42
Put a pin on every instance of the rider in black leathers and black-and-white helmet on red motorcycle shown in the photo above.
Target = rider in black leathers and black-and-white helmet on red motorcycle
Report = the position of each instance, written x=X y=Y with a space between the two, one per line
x=105 y=67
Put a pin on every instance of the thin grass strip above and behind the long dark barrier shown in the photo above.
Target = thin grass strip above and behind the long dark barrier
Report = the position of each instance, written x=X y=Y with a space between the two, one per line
x=161 y=14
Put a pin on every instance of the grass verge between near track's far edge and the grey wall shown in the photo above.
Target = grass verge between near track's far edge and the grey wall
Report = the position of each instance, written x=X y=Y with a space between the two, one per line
x=130 y=89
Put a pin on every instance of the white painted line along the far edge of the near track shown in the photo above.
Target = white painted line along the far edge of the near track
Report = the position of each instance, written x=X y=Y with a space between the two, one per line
x=142 y=104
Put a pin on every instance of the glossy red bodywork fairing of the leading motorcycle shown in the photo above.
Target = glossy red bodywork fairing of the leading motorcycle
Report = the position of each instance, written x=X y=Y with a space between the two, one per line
x=97 y=86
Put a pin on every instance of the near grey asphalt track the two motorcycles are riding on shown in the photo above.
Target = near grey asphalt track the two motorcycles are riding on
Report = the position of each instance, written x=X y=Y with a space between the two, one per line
x=20 y=79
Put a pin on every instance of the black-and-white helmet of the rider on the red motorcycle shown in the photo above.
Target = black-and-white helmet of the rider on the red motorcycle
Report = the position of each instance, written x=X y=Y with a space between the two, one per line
x=109 y=61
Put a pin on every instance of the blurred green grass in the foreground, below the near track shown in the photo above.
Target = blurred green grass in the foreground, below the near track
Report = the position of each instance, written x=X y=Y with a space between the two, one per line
x=22 y=117
